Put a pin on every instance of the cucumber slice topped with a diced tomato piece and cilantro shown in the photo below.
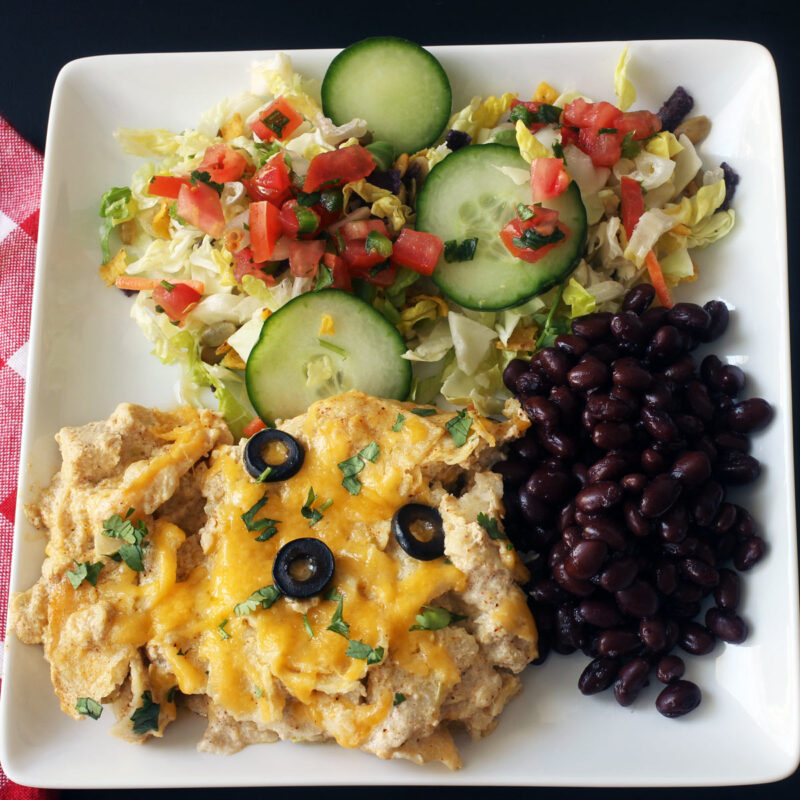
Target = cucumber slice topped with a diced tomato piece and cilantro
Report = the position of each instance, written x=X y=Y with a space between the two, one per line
x=467 y=194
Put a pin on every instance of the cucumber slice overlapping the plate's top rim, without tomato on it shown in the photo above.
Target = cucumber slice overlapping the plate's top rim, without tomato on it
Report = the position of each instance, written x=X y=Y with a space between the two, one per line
x=398 y=87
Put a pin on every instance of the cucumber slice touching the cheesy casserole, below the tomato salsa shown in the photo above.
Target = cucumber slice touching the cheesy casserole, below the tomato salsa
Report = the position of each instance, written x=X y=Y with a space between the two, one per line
x=292 y=365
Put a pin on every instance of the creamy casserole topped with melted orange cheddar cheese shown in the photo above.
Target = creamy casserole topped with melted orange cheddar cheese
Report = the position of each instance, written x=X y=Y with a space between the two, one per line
x=280 y=672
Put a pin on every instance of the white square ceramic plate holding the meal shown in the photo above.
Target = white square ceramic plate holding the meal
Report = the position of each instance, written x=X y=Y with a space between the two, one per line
x=87 y=355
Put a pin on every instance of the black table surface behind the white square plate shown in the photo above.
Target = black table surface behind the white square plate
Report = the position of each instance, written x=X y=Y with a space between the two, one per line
x=39 y=38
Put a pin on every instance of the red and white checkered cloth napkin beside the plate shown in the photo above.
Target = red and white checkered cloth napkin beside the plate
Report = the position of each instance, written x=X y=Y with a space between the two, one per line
x=20 y=189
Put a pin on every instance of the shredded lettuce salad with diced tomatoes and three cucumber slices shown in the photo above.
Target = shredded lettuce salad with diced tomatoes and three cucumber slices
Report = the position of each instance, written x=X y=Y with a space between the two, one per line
x=454 y=242
